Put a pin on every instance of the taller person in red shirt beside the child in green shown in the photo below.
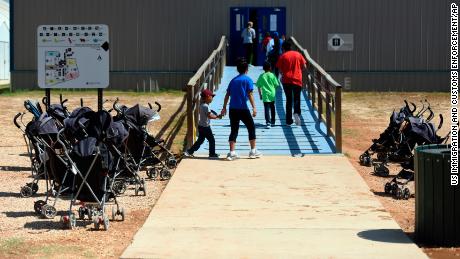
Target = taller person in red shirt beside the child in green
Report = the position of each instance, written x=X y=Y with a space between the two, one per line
x=291 y=63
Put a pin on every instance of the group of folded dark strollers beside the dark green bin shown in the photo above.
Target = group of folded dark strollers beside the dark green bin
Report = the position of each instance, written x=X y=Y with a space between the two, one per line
x=408 y=128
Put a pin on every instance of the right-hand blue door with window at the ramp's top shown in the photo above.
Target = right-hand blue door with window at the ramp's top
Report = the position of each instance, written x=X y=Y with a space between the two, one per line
x=269 y=20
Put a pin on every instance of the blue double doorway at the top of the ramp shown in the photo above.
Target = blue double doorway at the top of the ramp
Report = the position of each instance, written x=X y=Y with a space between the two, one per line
x=265 y=19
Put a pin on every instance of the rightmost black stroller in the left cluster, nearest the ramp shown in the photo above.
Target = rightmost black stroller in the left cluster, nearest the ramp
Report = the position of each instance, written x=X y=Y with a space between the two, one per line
x=147 y=151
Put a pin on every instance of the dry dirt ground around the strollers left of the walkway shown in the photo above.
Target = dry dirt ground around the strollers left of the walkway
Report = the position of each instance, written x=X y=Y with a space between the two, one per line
x=23 y=234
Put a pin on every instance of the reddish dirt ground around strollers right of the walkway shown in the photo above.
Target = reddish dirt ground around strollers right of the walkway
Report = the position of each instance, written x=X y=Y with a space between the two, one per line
x=365 y=116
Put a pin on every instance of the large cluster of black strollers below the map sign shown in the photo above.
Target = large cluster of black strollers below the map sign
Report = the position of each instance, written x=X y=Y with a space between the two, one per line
x=88 y=158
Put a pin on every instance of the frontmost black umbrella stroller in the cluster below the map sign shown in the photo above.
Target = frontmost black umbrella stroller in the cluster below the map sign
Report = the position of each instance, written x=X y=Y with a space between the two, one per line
x=89 y=161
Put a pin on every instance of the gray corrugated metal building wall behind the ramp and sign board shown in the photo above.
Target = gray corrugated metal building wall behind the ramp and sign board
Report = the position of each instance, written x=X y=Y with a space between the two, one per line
x=398 y=45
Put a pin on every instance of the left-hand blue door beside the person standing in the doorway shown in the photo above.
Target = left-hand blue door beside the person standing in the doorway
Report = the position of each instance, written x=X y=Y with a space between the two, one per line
x=239 y=16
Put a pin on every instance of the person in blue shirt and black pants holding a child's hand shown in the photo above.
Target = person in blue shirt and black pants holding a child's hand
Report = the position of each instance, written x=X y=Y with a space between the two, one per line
x=239 y=91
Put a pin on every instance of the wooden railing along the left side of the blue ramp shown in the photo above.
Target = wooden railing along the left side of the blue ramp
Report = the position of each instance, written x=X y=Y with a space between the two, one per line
x=207 y=76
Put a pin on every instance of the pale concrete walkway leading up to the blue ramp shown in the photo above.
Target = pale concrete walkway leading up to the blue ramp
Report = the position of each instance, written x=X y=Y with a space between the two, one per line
x=272 y=207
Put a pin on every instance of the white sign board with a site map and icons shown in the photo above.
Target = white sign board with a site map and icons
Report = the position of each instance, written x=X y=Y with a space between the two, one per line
x=73 y=56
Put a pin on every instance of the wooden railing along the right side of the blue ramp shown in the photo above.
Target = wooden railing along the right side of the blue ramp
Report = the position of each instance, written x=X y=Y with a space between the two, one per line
x=325 y=94
